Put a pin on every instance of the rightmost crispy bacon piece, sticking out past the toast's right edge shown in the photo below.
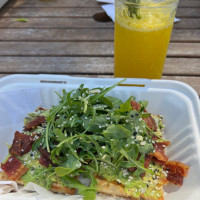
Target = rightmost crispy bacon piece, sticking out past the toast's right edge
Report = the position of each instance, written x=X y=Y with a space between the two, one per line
x=176 y=171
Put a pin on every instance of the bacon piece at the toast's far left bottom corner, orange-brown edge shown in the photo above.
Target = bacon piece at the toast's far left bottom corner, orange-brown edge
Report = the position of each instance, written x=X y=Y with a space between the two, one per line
x=13 y=168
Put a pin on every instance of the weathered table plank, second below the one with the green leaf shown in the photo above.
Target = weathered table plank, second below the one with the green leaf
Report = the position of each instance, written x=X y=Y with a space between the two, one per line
x=84 y=49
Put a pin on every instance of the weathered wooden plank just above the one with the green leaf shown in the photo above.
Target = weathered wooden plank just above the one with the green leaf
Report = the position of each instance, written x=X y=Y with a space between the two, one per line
x=76 y=12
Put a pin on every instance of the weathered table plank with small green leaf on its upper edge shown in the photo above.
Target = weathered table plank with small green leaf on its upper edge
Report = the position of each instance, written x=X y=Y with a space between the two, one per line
x=63 y=23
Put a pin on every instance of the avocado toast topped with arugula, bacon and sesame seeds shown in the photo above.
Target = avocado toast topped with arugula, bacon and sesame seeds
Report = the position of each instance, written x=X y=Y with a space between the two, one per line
x=118 y=146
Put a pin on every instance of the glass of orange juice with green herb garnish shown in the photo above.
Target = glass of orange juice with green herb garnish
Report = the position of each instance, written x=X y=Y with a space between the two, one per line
x=142 y=34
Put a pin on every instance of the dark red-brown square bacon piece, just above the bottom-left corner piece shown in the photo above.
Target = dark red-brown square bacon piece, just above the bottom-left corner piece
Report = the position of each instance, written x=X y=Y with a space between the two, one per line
x=22 y=144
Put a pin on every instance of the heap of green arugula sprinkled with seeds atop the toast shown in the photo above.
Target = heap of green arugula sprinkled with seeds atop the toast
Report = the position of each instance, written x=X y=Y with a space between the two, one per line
x=90 y=133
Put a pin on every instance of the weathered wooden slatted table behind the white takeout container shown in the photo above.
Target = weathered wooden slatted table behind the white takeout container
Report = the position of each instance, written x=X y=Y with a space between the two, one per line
x=62 y=37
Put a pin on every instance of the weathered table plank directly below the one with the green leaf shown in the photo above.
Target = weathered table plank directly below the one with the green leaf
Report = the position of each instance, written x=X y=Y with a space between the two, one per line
x=83 y=35
